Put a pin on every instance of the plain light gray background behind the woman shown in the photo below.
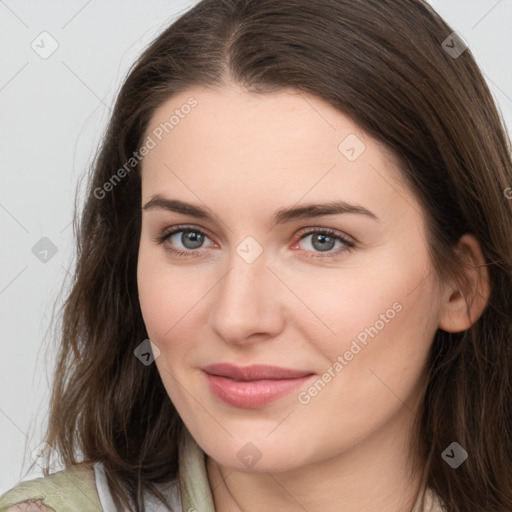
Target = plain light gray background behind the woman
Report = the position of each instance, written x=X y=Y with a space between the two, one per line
x=53 y=113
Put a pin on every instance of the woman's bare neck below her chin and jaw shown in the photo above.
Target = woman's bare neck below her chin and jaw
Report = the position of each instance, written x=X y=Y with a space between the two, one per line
x=373 y=476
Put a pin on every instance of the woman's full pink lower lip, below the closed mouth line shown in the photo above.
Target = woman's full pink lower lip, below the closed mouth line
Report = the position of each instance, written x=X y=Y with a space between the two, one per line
x=254 y=393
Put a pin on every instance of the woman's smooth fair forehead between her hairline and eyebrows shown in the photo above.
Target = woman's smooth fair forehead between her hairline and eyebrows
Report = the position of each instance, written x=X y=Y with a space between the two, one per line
x=222 y=142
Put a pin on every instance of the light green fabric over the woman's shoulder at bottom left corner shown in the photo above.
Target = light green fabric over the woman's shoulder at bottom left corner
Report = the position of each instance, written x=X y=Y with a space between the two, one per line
x=70 y=490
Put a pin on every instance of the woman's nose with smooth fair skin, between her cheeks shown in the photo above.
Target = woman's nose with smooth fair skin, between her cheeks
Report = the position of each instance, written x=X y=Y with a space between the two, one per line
x=247 y=305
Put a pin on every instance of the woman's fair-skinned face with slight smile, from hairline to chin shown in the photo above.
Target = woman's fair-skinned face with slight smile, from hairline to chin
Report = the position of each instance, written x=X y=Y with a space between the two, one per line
x=342 y=292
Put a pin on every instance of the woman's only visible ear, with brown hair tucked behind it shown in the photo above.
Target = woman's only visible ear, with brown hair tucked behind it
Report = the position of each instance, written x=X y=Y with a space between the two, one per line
x=461 y=309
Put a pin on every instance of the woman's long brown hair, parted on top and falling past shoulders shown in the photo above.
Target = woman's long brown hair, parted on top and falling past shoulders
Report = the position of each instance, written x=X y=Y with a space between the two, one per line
x=382 y=63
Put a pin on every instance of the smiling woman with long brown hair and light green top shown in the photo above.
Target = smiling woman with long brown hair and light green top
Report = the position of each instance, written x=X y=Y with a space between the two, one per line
x=293 y=286
